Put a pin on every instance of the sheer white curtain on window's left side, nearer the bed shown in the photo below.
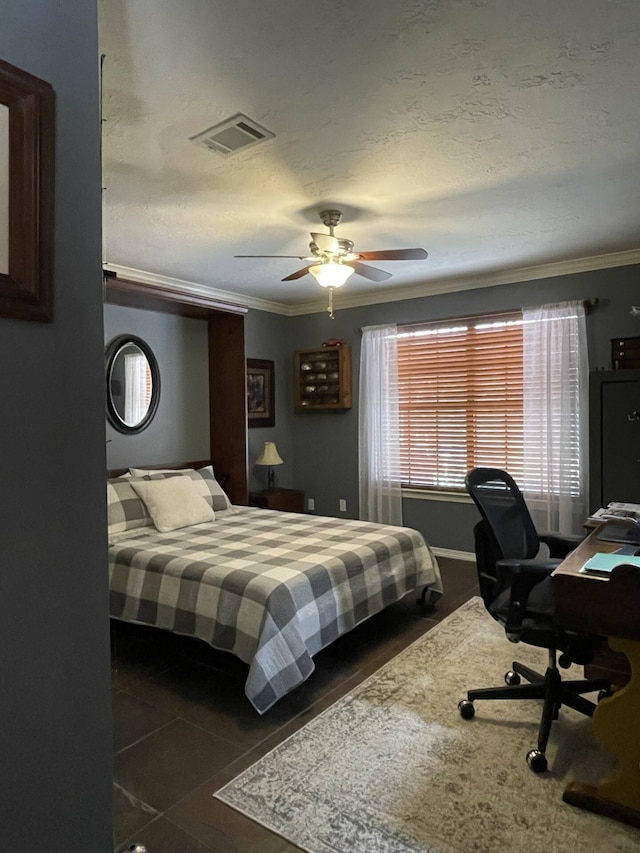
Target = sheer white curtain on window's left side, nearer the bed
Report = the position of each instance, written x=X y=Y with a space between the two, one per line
x=378 y=423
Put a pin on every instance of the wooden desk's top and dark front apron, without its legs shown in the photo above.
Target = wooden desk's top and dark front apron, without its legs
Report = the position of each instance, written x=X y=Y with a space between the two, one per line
x=608 y=605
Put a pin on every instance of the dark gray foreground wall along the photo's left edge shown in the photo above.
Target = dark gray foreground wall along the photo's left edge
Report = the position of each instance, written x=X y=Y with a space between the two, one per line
x=55 y=725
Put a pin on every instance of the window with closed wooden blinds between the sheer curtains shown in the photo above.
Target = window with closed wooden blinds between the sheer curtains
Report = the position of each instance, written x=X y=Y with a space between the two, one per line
x=461 y=399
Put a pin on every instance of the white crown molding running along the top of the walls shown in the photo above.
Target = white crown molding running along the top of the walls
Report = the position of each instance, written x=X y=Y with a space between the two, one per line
x=415 y=291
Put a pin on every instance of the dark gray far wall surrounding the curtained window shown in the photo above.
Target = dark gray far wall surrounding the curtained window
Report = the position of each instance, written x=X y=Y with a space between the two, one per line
x=325 y=445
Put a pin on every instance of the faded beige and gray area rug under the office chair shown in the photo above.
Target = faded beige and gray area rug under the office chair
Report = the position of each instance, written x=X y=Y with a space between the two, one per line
x=393 y=768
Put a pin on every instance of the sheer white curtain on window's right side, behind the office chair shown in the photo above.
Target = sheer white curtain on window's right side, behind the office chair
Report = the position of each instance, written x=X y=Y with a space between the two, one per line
x=555 y=415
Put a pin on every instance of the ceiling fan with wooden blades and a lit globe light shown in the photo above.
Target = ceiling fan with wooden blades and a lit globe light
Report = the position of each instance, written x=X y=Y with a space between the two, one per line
x=333 y=258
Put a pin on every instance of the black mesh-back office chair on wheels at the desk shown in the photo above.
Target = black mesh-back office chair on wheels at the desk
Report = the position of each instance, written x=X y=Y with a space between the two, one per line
x=515 y=586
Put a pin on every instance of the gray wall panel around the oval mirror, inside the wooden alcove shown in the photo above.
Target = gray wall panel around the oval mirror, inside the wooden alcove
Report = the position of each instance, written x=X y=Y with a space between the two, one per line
x=180 y=429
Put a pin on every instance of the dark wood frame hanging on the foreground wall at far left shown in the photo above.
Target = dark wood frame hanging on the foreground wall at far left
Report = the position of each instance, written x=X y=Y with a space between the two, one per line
x=26 y=291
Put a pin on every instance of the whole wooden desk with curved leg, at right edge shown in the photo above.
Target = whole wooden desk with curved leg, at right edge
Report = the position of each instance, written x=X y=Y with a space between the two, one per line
x=608 y=606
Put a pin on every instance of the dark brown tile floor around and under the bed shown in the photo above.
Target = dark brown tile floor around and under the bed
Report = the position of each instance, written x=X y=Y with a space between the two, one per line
x=183 y=726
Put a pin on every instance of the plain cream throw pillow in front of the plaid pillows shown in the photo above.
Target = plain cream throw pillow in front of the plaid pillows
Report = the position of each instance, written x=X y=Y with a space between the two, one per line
x=173 y=503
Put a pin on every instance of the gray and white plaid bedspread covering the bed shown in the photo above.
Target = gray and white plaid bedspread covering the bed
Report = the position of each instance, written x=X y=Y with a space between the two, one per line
x=271 y=587
